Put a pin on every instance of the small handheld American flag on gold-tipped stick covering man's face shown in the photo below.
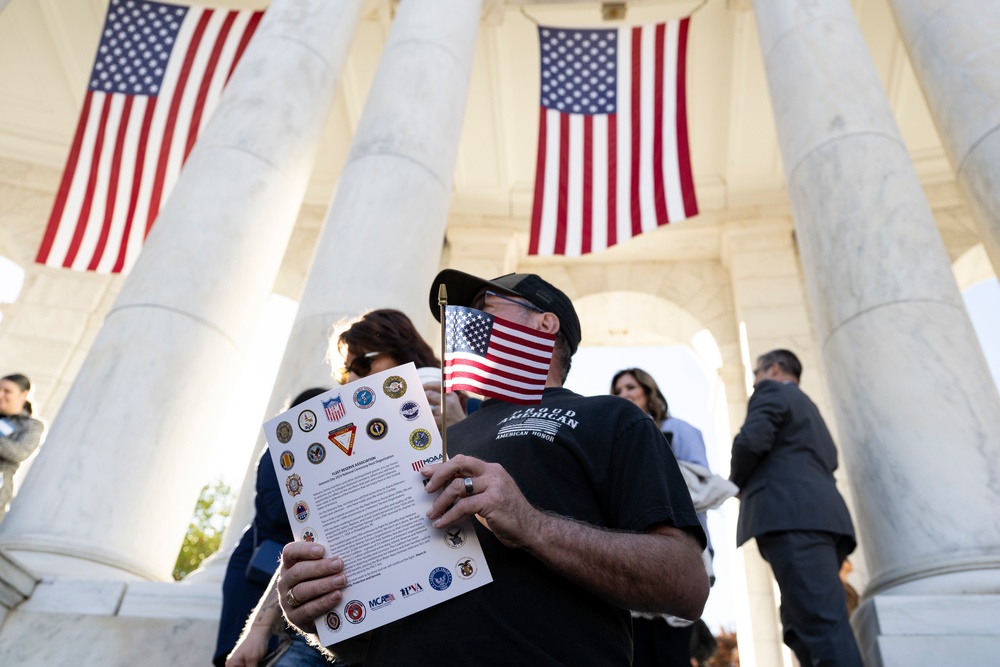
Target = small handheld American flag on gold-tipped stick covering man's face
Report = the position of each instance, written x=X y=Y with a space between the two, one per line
x=494 y=357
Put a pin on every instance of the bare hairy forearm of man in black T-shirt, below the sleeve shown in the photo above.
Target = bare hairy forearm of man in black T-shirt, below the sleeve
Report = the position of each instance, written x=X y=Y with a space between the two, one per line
x=661 y=571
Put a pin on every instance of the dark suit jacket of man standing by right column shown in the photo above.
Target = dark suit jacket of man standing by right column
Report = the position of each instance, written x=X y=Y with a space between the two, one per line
x=783 y=461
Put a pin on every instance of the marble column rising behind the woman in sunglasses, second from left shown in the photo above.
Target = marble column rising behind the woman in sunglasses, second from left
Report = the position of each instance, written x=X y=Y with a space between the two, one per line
x=381 y=244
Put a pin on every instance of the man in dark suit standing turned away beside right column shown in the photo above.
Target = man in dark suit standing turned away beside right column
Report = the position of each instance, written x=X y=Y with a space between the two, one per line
x=783 y=462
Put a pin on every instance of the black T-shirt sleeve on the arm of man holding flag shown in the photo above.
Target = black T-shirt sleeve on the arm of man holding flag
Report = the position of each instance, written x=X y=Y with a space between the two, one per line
x=645 y=485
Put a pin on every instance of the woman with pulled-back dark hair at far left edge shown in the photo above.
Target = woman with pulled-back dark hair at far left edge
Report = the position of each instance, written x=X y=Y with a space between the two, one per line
x=20 y=433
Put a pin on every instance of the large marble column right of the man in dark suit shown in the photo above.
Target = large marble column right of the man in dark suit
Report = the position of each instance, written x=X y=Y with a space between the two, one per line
x=918 y=414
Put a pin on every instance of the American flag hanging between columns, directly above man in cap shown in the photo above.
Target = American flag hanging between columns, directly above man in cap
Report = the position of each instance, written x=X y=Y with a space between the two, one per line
x=613 y=156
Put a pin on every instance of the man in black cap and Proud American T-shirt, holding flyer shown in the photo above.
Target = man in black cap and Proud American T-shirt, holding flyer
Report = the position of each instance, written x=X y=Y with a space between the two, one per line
x=583 y=512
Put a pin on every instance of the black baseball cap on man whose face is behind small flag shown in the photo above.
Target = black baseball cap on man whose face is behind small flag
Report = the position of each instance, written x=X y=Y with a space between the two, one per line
x=463 y=288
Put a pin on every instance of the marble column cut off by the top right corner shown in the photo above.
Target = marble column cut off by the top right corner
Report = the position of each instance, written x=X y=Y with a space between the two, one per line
x=955 y=54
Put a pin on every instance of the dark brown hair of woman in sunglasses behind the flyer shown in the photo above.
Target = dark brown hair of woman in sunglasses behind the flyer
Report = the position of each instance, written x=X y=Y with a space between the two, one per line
x=390 y=332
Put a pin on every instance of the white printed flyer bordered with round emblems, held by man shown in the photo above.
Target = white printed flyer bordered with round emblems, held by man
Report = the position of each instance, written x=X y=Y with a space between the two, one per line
x=348 y=461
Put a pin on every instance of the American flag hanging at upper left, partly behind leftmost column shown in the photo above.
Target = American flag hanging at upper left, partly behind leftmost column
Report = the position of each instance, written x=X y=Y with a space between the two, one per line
x=159 y=72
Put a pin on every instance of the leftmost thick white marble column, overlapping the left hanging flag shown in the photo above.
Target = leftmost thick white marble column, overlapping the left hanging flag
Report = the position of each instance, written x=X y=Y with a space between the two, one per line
x=111 y=493
